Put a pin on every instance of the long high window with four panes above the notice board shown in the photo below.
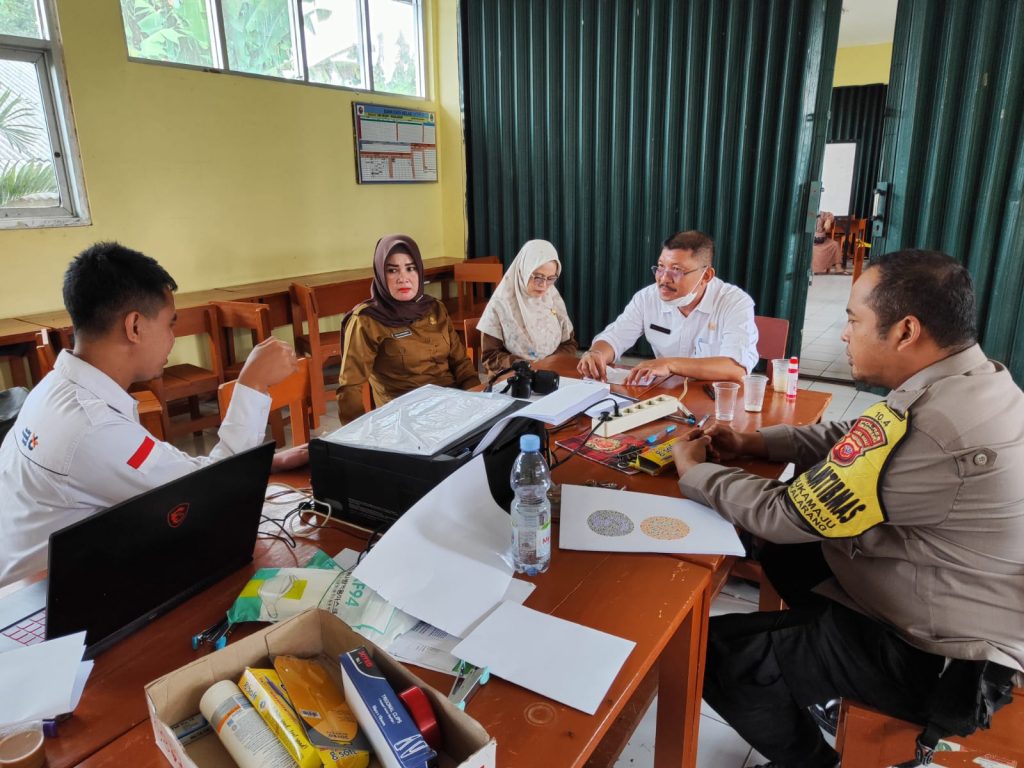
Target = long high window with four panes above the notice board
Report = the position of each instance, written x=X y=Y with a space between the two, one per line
x=374 y=46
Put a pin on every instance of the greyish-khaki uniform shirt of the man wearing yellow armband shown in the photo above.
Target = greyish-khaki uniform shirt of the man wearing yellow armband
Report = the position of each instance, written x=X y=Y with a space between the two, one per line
x=947 y=568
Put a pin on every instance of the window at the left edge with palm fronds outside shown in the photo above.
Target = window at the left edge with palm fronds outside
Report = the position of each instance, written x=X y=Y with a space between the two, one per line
x=39 y=184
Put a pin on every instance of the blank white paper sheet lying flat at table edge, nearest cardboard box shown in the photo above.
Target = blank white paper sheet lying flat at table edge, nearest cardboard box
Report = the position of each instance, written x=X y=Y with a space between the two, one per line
x=561 y=660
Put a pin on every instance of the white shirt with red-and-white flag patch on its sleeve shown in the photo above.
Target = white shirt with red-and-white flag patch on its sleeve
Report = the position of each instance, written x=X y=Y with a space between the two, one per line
x=78 y=447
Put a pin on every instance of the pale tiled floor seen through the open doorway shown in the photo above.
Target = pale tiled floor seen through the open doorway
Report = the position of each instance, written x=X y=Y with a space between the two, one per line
x=823 y=354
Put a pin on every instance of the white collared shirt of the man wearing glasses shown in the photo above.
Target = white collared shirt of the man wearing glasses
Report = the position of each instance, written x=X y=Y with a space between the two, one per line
x=721 y=326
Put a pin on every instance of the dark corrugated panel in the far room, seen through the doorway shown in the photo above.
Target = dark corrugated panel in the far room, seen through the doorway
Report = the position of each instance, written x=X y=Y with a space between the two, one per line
x=857 y=115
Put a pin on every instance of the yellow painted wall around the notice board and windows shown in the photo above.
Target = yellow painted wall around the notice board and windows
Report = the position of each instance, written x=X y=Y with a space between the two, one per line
x=228 y=180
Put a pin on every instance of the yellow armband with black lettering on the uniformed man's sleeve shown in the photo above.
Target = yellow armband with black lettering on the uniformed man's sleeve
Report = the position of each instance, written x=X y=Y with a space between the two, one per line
x=840 y=498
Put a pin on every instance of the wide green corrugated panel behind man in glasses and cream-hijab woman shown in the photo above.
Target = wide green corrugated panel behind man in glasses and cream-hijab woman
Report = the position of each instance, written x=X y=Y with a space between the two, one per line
x=607 y=125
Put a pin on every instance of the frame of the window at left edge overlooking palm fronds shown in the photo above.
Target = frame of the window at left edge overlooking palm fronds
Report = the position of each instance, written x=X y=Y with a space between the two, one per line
x=47 y=56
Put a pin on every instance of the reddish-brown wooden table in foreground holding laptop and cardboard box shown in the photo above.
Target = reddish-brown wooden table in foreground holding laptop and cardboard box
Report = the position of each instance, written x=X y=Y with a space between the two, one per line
x=657 y=602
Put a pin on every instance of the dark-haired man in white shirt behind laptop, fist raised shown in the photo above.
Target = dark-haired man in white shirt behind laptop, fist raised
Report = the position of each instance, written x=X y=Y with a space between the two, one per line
x=78 y=446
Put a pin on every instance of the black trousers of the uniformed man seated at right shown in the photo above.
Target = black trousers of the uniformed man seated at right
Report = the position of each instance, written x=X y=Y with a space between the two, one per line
x=764 y=670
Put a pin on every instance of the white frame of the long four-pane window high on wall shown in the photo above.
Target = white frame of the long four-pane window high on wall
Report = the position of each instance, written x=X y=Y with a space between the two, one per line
x=219 y=45
